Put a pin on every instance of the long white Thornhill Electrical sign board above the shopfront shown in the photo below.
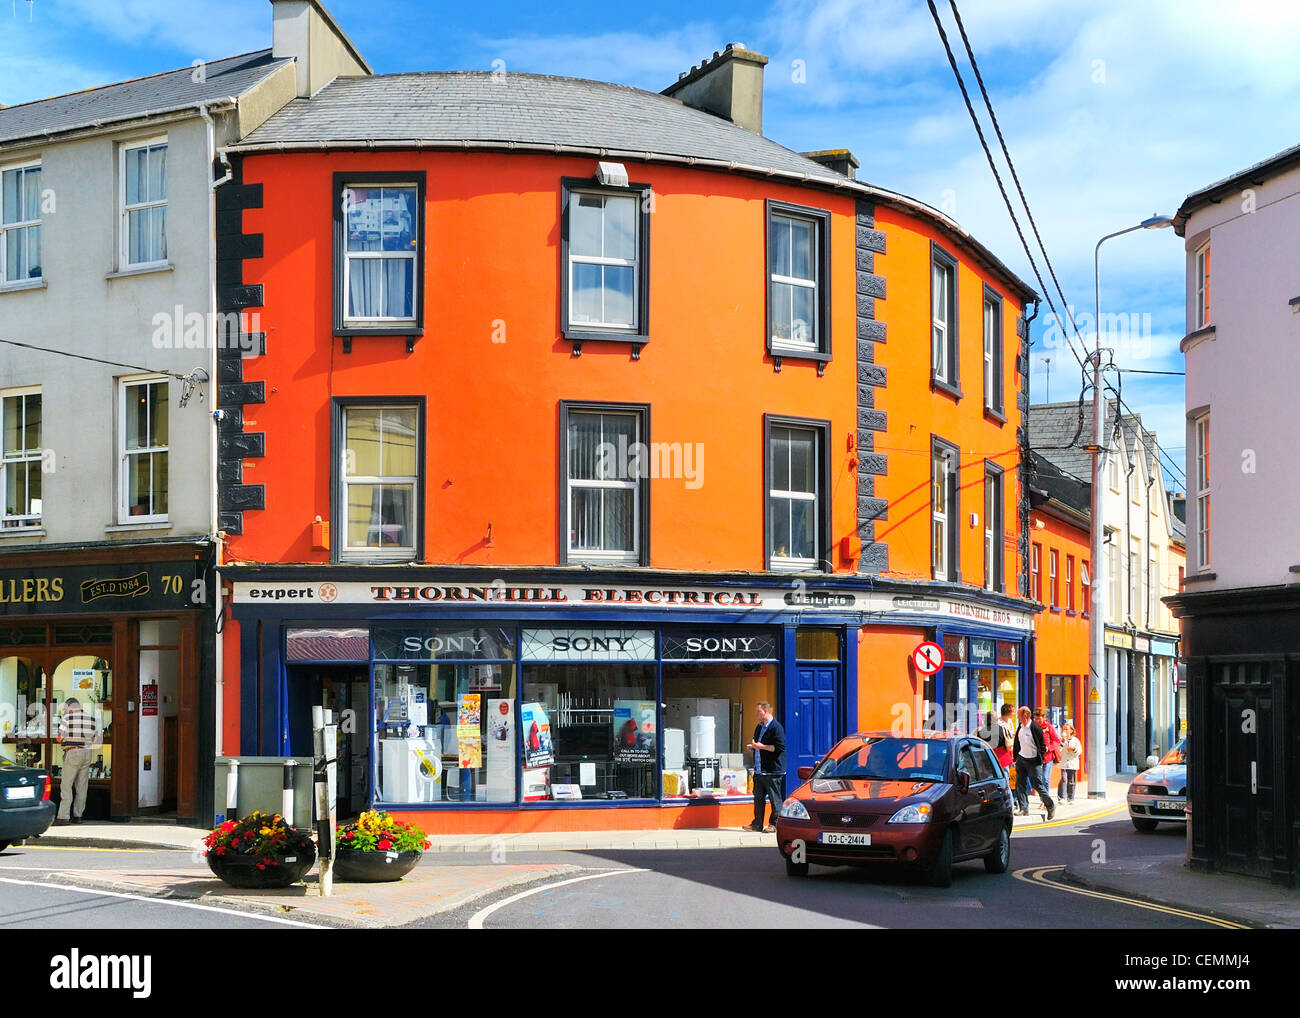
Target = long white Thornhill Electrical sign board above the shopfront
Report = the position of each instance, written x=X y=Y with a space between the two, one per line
x=639 y=597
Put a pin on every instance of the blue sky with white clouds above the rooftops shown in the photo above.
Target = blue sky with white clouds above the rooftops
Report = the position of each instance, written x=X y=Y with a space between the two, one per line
x=1113 y=110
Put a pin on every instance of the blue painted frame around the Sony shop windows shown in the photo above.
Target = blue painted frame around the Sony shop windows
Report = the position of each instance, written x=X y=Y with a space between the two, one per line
x=265 y=669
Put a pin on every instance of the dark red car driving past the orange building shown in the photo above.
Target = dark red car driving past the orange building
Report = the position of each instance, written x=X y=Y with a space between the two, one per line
x=922 y=799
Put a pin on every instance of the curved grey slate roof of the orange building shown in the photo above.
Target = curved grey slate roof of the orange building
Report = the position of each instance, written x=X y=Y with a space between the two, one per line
x=544 y=114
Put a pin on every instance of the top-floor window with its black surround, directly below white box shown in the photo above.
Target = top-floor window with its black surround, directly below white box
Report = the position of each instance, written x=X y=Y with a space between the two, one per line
x=606 y=241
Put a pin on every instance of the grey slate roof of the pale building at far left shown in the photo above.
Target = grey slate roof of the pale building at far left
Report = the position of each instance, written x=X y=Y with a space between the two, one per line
x=129 y=101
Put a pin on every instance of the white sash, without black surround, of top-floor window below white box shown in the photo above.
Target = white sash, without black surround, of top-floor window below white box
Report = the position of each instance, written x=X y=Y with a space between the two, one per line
x=604 y=267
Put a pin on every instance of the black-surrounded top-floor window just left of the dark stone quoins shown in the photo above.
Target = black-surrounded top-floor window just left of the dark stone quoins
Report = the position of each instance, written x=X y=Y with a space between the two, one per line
x=799 y=257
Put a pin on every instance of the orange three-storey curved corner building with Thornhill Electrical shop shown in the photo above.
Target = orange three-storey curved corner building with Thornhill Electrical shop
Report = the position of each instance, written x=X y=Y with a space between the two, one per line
x=574 y=436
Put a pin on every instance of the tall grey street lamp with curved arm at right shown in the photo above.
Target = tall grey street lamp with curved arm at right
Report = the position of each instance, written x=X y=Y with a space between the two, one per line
x=1098 y=617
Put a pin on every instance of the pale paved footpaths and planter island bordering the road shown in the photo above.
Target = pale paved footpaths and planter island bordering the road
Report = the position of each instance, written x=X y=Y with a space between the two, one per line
x=431 y=890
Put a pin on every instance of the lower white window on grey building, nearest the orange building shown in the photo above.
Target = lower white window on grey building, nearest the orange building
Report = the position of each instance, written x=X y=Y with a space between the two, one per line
x=144 y=449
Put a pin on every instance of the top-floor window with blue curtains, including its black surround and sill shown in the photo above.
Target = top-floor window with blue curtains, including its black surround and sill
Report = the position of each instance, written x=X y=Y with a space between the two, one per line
x=379 y=254
